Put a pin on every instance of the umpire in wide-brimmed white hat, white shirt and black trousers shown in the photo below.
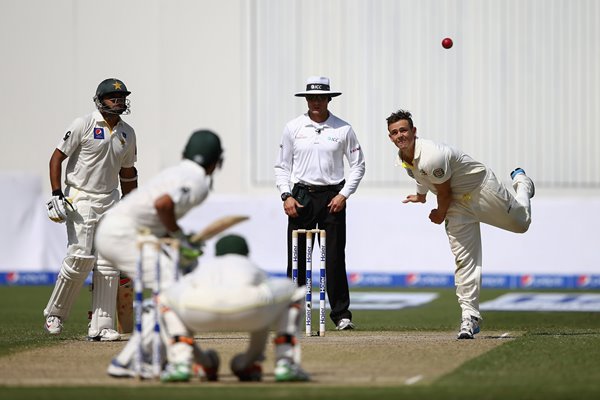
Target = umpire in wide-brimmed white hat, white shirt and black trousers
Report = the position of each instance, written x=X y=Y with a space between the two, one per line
x=311 y=158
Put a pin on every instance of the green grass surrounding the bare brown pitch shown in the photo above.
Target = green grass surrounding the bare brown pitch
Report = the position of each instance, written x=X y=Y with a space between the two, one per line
x=557 y=356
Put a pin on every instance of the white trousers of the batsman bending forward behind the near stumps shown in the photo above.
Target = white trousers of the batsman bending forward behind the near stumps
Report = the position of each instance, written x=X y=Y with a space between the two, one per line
x=117 y=241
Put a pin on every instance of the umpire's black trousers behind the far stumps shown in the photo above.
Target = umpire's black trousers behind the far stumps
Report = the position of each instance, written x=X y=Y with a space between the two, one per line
x=315 y=214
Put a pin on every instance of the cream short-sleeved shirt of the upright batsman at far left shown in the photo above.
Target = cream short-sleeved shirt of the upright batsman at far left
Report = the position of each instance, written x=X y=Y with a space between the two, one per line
x=97 y=153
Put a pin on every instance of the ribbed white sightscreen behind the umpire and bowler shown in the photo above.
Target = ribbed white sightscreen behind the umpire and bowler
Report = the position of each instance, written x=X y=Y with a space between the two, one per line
x=520 y=87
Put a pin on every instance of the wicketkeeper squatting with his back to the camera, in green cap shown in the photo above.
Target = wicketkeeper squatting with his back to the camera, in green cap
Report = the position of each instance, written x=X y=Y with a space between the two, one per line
x=232 y=294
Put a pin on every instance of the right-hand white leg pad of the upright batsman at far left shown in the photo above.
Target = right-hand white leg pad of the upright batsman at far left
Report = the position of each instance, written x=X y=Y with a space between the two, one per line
x=104 y=297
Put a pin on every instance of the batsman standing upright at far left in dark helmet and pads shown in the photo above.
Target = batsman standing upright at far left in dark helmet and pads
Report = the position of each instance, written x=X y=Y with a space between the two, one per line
x=100 y=149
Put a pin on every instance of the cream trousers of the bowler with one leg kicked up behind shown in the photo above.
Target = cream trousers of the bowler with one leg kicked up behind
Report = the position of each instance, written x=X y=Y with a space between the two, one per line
x=492 y=204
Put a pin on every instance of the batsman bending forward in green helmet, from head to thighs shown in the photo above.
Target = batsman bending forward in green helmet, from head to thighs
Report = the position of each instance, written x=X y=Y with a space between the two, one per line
x=155 y=209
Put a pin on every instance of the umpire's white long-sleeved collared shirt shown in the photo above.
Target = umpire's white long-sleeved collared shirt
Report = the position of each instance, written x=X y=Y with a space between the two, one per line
x=313 y=154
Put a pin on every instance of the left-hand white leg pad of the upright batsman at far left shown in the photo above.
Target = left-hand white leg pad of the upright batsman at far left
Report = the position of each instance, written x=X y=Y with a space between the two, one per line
x=73 y=272
